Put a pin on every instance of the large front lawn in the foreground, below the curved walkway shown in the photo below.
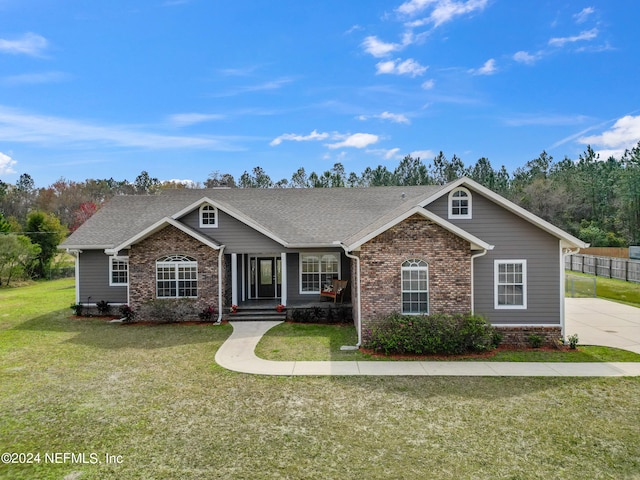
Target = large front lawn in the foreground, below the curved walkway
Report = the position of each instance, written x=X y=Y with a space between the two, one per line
x=154 y=395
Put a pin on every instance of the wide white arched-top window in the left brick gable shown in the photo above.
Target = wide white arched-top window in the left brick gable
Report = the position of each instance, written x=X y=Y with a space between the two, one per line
x=176 y=277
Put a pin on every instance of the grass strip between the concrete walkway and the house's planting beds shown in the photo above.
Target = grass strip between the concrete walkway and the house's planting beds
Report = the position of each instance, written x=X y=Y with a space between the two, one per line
x=300 y=342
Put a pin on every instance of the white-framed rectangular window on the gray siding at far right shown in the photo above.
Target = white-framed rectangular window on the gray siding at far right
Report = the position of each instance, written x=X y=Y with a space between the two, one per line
x=510 y=284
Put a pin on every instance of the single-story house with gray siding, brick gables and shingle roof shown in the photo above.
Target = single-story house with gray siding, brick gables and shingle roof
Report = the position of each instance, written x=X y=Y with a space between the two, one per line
x=454 y=248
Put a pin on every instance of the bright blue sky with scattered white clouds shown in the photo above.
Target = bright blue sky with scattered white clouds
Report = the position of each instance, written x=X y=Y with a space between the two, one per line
x=183 y=88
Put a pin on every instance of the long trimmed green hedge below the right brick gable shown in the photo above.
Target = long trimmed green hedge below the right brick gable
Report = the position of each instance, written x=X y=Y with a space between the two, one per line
x=440 y=334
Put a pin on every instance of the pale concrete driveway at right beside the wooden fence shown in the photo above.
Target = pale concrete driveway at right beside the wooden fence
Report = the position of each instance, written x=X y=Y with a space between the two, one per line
x=601 y=322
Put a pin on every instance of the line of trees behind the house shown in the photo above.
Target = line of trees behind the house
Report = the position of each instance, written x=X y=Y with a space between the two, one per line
x=595 y=199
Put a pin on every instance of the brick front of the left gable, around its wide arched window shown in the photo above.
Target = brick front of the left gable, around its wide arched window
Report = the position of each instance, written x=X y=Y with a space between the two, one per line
x=171 y=241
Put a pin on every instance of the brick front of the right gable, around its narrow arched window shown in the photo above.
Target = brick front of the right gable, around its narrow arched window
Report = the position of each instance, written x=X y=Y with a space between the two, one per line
x=448 y=257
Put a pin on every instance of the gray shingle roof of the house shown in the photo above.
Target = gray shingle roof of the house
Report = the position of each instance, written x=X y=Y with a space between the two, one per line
x=298 y=217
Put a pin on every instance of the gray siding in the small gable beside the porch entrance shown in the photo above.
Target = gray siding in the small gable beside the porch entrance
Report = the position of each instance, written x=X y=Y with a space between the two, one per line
x=235 y=235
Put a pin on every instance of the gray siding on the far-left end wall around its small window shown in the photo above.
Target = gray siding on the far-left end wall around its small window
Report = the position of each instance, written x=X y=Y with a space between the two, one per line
x=94 y=279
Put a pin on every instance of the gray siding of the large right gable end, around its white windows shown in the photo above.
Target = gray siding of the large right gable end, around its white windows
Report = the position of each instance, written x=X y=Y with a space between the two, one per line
x=514 y=239
